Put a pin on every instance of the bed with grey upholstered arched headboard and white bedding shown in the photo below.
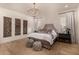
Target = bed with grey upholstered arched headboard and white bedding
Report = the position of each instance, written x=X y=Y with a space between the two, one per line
x=47 y=35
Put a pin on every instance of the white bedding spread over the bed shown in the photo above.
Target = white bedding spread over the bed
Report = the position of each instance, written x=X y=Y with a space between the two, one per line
x=43 y=36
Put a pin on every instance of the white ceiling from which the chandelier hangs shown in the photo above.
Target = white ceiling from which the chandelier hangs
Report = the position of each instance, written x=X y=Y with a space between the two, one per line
x=23 y=7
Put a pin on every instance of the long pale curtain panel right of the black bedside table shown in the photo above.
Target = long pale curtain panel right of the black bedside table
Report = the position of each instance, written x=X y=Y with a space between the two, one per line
x=71 y=24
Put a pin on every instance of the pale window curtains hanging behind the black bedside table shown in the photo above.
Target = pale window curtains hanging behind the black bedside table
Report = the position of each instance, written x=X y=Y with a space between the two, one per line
x=68 y=21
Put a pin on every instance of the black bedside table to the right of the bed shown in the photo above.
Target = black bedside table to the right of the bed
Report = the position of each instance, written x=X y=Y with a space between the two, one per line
x=64 y=38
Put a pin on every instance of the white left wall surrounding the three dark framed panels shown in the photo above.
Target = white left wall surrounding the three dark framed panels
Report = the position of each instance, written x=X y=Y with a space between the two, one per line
x=13 y=15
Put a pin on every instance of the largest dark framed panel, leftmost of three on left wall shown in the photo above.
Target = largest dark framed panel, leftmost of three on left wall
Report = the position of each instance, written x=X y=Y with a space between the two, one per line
x=7 y=29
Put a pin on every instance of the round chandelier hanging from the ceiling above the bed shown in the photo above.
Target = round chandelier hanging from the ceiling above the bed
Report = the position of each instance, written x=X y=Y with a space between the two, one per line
x=34 y=12
